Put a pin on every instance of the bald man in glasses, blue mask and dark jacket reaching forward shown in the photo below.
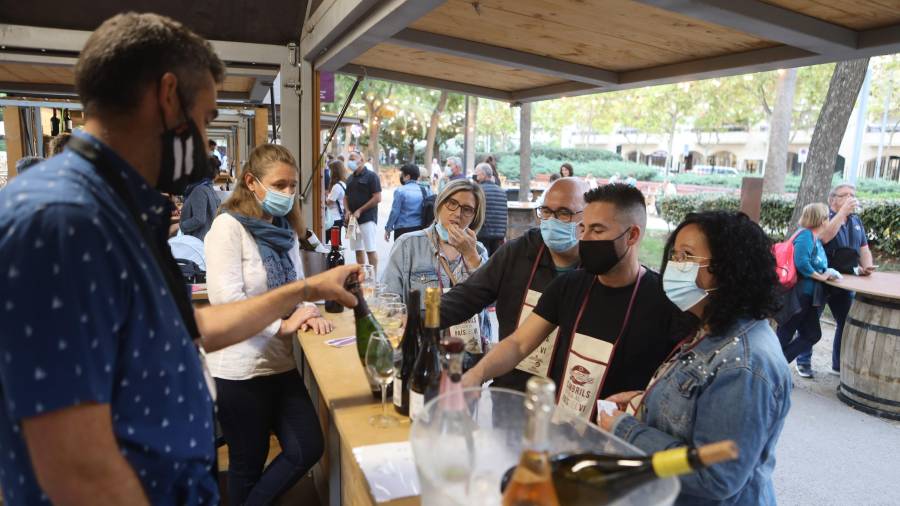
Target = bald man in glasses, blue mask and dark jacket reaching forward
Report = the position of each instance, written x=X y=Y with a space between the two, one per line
x=521 y=269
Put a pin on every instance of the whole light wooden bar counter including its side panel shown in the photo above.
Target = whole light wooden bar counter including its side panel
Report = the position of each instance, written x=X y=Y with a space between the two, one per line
x=339 y=390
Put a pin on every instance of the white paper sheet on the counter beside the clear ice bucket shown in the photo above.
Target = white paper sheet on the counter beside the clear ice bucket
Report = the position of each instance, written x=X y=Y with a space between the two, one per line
x=390 y=470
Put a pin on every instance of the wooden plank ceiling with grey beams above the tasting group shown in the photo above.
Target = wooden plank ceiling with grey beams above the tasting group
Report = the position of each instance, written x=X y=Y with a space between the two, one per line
x=525 y=50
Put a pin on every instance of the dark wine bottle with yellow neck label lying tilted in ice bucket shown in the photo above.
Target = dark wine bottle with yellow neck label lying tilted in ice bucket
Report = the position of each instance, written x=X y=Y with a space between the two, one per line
x=584 y=479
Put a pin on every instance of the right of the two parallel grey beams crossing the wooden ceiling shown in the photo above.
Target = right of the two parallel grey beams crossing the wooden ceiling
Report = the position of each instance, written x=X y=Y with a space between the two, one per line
x=766 y=21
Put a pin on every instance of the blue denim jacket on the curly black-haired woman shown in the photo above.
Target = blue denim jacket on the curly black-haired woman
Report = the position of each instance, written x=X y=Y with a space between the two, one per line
x=736 y=386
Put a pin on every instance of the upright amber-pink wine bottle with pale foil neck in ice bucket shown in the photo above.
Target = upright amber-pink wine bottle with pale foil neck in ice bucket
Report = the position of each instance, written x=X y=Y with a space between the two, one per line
x=532 y=479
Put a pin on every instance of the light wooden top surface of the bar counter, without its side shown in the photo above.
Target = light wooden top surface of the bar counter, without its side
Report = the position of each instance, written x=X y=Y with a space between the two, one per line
x=342 y=384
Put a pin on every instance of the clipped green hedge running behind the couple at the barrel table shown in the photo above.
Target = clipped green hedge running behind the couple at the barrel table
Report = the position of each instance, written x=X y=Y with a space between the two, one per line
x=881 y=218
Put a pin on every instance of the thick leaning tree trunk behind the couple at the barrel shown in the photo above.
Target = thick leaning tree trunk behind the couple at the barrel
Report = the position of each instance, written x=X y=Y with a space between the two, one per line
x=830 y=127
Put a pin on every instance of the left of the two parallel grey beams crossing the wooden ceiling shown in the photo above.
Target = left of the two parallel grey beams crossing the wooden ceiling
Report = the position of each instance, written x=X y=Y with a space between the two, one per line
x=444 y=44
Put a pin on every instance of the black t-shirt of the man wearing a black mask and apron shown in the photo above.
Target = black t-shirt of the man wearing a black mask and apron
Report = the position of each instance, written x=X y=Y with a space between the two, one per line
x=652 y=332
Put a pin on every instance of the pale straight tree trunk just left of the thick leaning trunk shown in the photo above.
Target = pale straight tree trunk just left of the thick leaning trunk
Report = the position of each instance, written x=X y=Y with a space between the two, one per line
x=780 y=132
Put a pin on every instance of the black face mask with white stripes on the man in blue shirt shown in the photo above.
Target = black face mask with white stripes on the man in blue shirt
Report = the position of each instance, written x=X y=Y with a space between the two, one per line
x=184 y=157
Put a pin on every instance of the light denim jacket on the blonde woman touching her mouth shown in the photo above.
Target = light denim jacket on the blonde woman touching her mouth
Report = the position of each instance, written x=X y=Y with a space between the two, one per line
x=414 y=265
